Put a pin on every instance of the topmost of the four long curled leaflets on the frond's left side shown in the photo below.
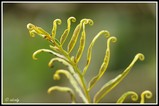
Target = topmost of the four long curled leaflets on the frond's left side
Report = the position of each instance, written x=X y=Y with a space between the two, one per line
x=47 y=51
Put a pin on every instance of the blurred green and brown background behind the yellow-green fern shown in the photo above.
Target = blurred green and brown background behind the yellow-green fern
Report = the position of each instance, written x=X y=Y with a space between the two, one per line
x=134 y=25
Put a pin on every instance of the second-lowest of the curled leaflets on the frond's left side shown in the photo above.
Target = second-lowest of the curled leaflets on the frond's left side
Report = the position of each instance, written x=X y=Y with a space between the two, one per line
x=72 y=81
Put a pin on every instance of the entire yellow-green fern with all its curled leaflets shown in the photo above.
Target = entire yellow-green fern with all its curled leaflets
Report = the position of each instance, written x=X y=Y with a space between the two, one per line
x=76 y=76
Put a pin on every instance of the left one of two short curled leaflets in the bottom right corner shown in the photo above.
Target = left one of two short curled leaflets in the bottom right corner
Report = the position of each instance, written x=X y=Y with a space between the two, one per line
x=134 y=96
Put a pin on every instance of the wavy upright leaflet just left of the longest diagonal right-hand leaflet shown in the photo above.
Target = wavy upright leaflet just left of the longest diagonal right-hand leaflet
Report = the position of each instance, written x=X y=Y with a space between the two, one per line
x=104 y=64
